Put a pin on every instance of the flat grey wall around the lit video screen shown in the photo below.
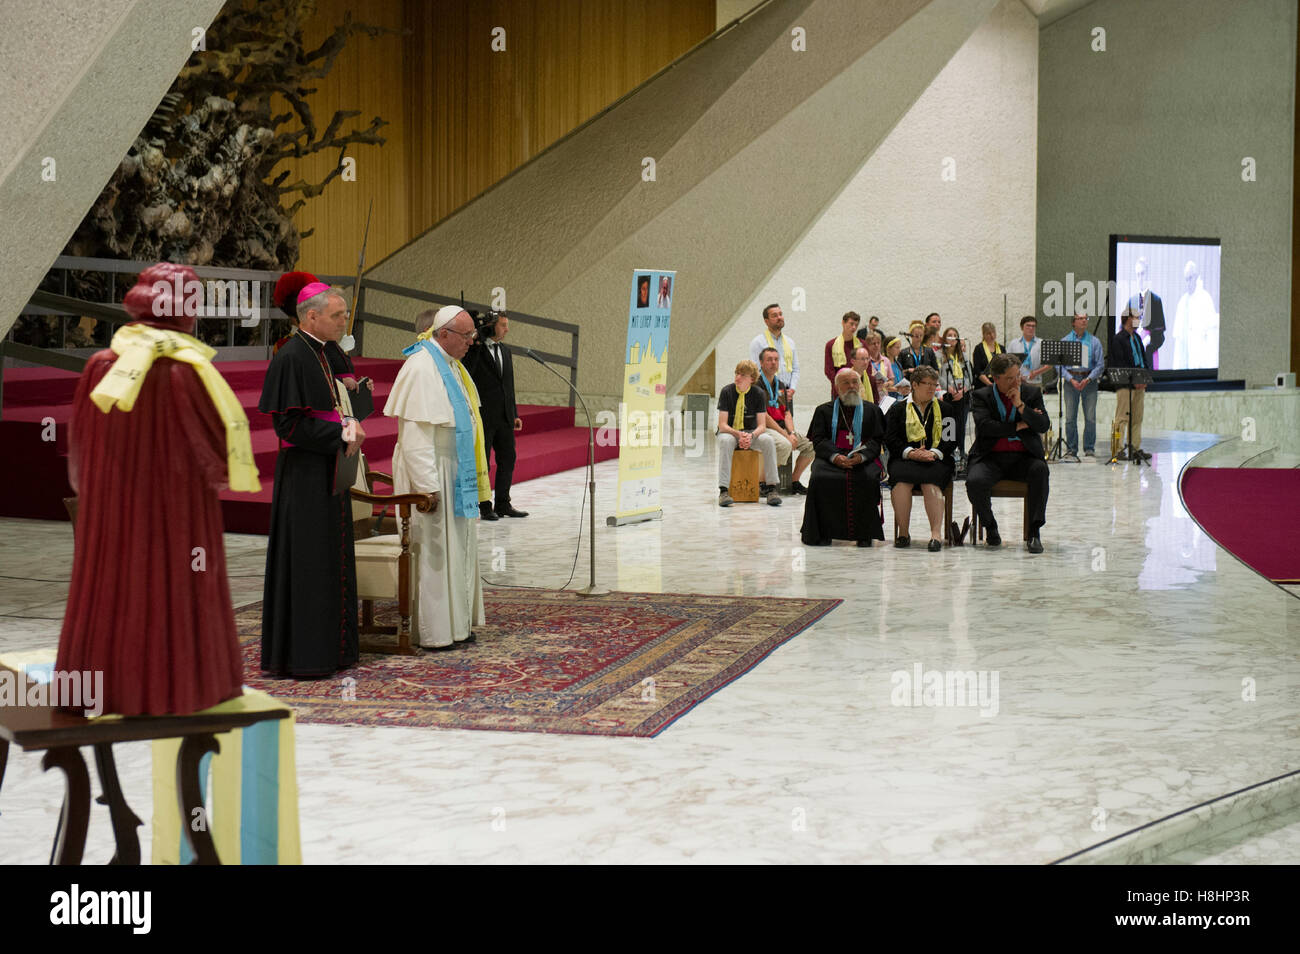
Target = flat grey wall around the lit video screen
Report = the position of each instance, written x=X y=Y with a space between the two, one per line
x=1149 y=138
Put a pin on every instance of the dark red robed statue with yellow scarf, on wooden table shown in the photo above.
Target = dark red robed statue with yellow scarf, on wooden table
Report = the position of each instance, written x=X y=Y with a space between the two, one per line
x=150 y=602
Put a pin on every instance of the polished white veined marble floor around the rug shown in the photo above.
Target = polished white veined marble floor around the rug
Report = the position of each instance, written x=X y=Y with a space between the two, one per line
x=1130 y=671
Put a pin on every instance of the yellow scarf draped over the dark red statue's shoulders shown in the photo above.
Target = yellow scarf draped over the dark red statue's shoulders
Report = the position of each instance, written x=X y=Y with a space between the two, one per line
x=138 y=346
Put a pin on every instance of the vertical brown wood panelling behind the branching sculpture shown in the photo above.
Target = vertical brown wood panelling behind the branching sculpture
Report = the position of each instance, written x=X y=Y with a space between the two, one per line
x=462 y=116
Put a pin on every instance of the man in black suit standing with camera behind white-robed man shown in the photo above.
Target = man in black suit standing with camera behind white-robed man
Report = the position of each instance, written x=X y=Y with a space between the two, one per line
x=491 y=367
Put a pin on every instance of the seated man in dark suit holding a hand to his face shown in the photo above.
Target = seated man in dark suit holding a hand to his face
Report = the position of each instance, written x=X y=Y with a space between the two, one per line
x=1009 y=426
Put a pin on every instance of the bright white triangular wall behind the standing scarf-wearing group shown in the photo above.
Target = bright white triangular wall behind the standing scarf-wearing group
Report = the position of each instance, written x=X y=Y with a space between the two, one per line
x=902 y=241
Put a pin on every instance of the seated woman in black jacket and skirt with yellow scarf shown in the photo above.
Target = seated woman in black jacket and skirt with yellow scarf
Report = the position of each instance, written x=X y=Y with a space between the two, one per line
x=920 y=453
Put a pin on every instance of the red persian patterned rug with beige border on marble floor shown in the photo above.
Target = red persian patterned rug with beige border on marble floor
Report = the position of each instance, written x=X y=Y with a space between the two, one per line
x=625 y=665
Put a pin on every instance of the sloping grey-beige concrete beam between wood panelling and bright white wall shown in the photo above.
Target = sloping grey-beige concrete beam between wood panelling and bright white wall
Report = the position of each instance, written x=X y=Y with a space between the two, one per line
x=751 y=140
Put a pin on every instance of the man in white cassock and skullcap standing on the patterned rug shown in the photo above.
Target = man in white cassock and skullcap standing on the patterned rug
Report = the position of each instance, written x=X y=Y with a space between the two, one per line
x=441 y=452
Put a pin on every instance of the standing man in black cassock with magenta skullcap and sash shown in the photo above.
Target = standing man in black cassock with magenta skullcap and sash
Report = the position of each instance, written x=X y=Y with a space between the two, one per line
x=309 y=613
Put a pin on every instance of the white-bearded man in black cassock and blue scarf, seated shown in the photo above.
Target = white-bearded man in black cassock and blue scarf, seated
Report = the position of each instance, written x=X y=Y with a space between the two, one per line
x=844 y=492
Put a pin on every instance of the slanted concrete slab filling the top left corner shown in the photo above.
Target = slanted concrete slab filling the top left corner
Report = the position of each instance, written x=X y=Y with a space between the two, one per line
x=79 y=81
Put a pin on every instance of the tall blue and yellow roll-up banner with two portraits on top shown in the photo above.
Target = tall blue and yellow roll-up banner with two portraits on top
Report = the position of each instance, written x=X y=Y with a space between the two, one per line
x=645 y=391
